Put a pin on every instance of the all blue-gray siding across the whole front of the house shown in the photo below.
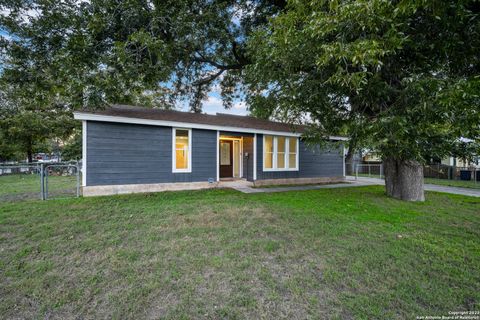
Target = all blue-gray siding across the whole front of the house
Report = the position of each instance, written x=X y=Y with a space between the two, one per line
x=120 y=153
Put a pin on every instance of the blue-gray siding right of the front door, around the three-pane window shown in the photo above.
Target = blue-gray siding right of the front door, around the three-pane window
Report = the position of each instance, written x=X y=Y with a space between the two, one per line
x=313 y=162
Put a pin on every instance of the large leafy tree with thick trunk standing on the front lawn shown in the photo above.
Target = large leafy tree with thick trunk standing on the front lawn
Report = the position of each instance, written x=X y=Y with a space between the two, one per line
x=402 y=74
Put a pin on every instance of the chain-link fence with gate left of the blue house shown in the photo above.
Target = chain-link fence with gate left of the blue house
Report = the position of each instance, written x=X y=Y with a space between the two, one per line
x=21 y=181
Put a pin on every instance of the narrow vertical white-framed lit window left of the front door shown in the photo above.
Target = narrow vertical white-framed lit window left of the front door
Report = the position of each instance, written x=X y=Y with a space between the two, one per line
x=181 y=150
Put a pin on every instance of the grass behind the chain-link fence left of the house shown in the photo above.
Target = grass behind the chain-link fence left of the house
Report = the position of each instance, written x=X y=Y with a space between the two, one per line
x=27 y=186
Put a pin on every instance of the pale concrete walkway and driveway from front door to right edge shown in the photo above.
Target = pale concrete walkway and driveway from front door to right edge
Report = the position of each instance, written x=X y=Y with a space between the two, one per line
x=350 y=182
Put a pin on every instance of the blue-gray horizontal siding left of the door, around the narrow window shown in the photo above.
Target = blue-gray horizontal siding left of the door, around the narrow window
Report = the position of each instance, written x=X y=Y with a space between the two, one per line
x=136 y=154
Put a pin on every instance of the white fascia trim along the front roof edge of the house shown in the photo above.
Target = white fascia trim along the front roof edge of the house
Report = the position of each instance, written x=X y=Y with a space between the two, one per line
x=178 y=124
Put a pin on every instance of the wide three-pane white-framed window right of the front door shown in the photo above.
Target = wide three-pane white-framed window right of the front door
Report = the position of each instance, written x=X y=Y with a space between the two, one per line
x=280 y=153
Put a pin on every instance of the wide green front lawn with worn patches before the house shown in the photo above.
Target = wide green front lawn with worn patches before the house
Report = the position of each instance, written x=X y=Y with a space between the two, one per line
x=347 y=253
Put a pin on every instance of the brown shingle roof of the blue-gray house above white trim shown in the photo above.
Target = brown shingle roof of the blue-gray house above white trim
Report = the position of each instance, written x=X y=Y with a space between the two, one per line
x=220 y=119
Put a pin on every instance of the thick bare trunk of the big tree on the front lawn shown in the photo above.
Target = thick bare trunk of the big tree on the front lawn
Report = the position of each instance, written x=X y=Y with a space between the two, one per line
x=404 y=179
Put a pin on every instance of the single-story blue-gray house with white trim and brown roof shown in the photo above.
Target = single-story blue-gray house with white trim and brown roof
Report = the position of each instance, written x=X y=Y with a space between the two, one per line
x=131 y=149
